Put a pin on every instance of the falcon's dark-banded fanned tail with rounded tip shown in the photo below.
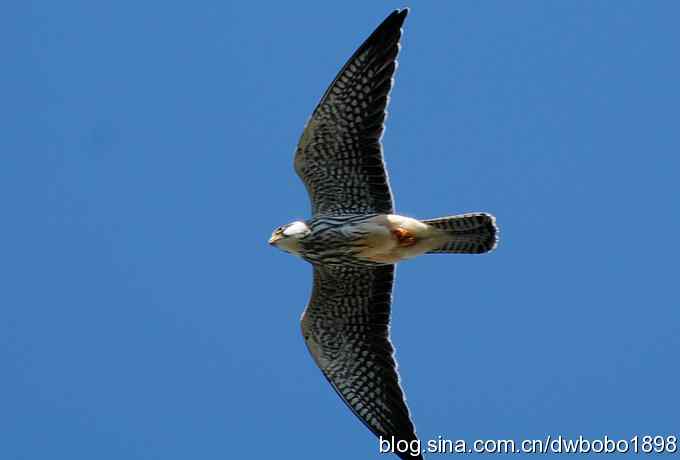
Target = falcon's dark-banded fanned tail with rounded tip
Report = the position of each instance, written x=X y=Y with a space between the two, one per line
x=468 y=233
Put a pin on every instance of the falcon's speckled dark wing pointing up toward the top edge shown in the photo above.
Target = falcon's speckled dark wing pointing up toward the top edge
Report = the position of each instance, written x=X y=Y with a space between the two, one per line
x=339 y=156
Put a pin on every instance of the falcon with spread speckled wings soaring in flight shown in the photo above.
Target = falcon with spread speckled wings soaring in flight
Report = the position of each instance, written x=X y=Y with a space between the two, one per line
x=354 y=238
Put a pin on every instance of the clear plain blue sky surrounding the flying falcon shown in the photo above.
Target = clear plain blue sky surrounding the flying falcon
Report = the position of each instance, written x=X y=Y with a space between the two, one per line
x=148 y=155
